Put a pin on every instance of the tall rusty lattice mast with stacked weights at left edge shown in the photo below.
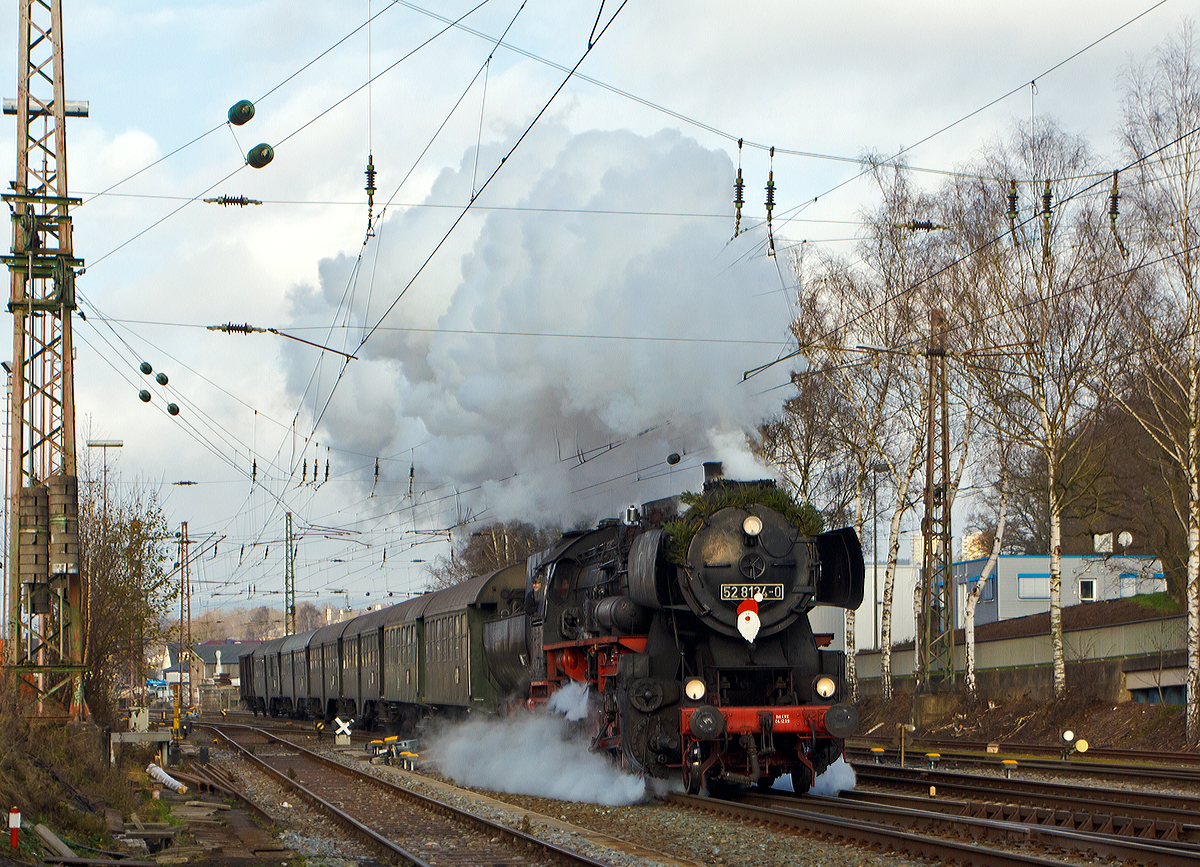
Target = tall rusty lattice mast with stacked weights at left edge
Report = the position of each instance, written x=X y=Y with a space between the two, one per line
x=47 y=597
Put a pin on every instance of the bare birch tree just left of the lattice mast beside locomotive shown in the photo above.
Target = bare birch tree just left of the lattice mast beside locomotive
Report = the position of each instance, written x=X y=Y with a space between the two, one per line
x=865 y=328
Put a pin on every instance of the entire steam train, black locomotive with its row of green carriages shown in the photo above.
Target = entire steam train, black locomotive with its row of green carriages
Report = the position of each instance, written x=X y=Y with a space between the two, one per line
x=689 y=627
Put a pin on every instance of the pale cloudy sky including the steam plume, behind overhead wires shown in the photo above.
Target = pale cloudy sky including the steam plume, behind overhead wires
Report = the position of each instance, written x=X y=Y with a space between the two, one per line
x=590 y=315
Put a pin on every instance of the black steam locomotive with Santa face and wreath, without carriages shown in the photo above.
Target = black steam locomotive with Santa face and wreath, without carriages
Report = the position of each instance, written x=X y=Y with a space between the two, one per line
x=692 y=631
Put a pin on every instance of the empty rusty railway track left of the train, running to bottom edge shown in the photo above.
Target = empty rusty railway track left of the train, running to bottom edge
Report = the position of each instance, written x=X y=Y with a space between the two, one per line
x=403 y=826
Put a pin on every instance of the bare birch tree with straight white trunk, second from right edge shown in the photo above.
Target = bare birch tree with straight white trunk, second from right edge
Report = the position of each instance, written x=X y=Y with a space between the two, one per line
x=1043 y=295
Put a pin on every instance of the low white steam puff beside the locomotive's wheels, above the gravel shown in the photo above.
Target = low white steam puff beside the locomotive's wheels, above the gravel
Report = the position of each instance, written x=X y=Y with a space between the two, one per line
x=533 y=754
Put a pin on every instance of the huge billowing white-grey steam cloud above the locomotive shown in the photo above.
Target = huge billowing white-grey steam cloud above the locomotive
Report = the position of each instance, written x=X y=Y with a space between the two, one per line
x=553 y=356
